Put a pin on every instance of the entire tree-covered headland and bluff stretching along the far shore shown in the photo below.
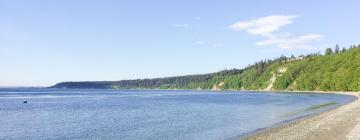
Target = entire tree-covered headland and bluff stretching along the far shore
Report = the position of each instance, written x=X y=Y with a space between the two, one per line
x=335 y=70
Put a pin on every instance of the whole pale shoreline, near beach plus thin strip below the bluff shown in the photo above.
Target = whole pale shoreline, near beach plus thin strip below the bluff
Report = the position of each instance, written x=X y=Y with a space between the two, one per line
x=341 y=122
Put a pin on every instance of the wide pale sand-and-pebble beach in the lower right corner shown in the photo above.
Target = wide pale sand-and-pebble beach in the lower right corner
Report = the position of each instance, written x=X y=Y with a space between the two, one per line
x=337 y=124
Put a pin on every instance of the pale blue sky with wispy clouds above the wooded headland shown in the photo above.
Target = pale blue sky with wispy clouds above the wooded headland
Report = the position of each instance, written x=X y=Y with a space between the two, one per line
x=43 y=42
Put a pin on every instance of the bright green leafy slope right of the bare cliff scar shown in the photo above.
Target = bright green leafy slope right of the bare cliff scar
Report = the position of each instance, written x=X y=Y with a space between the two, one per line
x=332 y=72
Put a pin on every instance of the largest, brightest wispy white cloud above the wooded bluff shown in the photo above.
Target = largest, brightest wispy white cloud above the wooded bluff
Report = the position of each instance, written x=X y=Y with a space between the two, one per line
x=267 y=27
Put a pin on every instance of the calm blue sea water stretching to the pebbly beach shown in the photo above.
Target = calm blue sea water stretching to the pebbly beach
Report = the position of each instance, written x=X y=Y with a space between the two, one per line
x=149 y=114
